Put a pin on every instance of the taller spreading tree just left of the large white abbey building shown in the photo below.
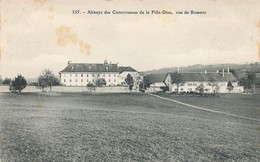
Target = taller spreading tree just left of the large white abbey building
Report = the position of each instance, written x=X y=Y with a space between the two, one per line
x=47 y=79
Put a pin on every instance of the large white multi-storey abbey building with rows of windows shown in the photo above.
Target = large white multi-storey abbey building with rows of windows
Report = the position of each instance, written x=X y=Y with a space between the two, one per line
x=81 y=74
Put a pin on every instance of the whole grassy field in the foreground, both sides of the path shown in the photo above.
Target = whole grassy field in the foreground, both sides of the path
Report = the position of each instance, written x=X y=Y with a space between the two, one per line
x=125 y=127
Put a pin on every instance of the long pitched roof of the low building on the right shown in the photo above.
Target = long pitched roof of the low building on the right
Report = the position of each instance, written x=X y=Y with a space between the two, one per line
x=214 y=77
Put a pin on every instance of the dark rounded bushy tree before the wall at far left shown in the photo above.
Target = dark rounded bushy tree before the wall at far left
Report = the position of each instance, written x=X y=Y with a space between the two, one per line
x=18 y=84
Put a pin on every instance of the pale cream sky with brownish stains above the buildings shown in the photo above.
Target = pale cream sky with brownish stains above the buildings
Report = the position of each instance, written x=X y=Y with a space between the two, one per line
x=42 y=34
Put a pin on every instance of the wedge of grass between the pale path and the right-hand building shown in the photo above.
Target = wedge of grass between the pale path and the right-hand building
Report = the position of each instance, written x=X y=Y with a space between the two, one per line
x=246 y=105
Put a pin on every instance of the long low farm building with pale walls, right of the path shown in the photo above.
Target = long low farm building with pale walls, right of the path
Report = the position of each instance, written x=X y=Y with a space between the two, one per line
x=211 y=82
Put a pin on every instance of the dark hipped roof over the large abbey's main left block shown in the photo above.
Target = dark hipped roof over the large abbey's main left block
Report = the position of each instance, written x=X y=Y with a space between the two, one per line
x=81 y=67
